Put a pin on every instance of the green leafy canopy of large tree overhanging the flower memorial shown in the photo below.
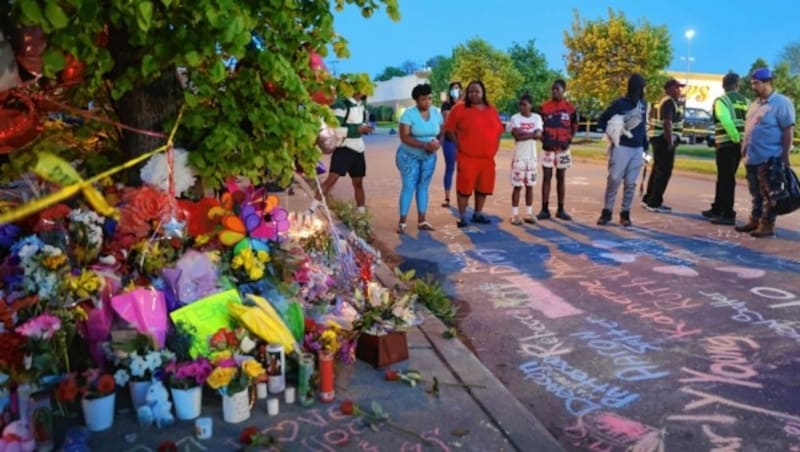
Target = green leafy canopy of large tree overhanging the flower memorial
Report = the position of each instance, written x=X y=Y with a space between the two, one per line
x=230 y=125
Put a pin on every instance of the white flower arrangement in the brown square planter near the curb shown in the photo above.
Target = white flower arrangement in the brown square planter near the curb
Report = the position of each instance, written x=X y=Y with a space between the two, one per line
x=382 y=310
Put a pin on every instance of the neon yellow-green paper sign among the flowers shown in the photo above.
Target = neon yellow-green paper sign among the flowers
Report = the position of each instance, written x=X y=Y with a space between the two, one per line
x=206 y=315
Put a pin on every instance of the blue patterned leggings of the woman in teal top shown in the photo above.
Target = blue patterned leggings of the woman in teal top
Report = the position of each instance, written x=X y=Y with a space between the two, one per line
x=416 y=170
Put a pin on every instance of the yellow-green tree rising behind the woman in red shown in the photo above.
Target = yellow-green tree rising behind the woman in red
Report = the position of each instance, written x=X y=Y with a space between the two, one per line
x=478 y=60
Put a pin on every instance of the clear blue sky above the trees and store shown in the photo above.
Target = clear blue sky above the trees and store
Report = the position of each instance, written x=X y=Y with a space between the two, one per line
x=729 y=35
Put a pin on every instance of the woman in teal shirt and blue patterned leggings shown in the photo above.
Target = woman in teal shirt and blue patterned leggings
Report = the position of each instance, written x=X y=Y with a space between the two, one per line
x=420 y=129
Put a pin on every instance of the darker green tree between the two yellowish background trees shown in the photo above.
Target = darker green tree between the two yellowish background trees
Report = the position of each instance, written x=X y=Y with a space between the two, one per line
x=536 y=76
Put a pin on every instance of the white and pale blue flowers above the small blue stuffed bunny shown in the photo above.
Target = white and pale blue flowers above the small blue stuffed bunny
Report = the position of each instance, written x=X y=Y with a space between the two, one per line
x=138 y=360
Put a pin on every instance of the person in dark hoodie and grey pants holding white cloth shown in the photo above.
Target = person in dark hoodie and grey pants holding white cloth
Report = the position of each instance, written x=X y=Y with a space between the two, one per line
x=625 y=160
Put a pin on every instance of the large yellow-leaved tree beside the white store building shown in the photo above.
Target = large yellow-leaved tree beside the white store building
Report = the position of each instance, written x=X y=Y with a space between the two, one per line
x=603 y=53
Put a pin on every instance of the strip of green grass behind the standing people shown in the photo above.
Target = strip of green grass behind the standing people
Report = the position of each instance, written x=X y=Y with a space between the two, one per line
x=697 y=158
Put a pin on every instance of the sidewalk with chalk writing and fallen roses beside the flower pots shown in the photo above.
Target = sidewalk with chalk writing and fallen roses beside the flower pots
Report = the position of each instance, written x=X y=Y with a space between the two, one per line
x=460 y=418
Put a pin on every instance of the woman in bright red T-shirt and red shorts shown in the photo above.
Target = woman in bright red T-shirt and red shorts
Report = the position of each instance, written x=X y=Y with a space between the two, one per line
x=476 y=128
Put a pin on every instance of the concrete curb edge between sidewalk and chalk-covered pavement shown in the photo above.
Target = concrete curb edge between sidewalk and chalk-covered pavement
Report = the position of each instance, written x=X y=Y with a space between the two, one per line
x=518 y=425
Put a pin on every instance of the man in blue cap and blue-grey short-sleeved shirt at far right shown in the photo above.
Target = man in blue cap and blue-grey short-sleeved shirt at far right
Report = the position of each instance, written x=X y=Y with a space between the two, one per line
x=768 y=133
